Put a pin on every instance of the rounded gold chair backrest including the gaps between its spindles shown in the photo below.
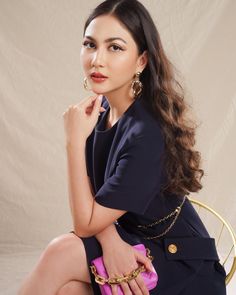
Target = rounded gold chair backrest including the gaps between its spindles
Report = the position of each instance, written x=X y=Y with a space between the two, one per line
x=222 y=234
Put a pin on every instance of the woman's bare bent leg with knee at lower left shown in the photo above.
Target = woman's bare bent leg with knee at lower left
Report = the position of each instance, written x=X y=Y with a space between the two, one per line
x=63 y=260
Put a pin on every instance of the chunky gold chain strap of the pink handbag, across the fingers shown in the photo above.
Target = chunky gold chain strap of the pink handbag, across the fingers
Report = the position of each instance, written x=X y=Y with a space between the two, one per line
x=117 y=280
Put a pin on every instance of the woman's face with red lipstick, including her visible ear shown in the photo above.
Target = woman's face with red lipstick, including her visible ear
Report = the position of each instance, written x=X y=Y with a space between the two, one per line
x=110 y=50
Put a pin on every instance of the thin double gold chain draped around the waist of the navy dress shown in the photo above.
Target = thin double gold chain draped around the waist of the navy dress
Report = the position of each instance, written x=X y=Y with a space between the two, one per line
x=174 y=213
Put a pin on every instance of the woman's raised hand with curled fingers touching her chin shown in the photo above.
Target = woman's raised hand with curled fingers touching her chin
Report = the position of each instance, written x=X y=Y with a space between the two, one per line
x=80 y=119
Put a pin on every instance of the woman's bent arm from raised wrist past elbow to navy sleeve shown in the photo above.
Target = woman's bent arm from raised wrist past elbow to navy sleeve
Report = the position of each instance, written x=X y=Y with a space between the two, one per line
x=89 y=217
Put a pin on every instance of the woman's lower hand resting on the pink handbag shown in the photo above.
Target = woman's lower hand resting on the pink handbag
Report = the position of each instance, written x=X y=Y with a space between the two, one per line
x=119 y=260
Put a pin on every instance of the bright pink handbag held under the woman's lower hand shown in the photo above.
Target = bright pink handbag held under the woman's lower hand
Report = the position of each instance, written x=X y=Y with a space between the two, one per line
x=150 y=278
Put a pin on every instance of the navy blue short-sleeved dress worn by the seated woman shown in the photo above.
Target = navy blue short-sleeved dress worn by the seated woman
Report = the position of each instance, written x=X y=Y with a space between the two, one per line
x=125 y=166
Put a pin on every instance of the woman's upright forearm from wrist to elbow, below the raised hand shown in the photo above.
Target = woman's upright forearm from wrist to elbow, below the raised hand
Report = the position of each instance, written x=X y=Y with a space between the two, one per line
x=81 y=198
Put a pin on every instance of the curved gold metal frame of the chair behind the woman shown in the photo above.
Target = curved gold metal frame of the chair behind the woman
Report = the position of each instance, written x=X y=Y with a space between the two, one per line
x=231 y=232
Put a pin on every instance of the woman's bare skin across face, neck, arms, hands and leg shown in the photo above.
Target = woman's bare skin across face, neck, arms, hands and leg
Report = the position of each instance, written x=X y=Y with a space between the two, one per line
x=57 y=272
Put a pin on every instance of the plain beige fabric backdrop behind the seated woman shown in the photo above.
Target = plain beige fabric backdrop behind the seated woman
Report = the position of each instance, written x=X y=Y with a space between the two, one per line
x=40 y=76
